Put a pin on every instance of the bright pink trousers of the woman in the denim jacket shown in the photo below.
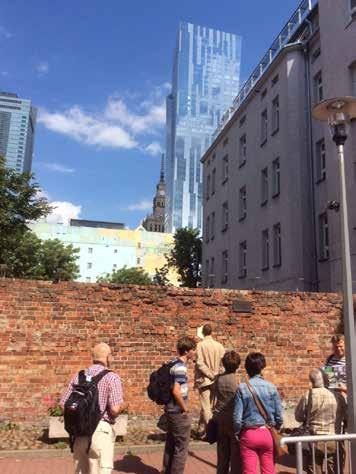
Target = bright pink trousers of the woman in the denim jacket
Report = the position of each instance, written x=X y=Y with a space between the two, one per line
x=257 y=444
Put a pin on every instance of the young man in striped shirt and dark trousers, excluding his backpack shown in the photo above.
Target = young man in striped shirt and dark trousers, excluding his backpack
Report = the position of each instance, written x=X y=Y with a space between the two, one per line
x=176 y=410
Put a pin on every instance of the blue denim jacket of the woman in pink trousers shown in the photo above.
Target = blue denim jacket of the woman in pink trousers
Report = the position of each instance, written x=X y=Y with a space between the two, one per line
x=245 y=410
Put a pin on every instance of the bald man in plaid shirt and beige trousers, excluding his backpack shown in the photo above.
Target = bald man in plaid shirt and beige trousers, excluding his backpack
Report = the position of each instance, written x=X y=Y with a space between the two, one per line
x=100 y=458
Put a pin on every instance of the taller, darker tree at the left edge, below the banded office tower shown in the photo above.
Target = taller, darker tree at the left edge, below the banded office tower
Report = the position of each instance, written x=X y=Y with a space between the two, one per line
x=20 y=203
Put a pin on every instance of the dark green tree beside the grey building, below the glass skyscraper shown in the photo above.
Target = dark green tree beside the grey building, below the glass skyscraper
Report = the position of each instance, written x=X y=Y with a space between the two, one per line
x=186 y=255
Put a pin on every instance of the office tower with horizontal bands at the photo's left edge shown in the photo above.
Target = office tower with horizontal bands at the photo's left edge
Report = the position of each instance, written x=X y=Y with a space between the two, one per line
x=17 y=131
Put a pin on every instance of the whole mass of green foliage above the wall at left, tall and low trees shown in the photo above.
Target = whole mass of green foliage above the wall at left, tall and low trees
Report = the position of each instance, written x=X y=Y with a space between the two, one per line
x=22 y=253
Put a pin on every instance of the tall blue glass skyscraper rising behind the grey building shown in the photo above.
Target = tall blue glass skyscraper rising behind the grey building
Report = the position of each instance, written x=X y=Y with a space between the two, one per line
x=206 y=77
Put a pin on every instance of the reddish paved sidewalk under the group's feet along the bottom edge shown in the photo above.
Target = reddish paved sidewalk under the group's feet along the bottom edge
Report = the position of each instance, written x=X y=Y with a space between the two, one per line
x=199 y=462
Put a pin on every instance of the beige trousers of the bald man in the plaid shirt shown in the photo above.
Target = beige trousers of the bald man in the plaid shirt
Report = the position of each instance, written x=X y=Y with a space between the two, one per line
x=100 y=458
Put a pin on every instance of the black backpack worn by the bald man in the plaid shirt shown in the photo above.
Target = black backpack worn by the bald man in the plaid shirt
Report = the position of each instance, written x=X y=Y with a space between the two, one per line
x=82 y=411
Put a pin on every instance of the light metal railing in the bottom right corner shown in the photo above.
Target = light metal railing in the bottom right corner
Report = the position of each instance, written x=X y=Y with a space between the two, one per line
x=318 y=450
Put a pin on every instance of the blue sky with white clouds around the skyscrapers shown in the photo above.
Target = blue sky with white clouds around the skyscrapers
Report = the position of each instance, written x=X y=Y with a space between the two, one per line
x=99 y=71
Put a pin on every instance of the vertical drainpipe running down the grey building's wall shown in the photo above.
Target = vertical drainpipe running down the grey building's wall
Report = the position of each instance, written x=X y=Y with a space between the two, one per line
x=311 y=153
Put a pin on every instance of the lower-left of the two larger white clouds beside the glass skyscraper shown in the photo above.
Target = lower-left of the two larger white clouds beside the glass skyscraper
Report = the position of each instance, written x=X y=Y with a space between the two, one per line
x=84 y=128
